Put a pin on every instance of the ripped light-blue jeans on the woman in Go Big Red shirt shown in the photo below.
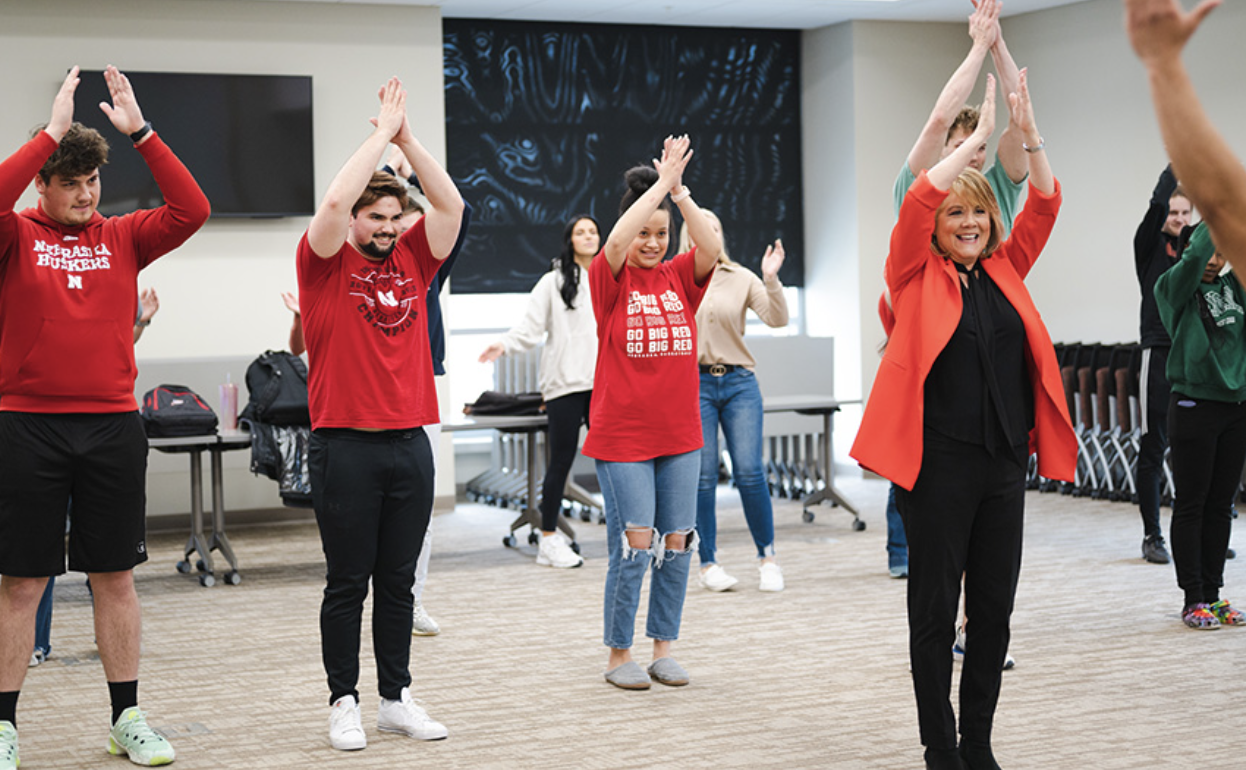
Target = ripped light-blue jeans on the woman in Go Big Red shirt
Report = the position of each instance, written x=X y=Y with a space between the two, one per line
x=659 y=497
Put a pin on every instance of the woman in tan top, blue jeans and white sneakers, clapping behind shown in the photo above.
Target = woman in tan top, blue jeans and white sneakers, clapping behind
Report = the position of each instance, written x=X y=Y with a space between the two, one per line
x=730 y=397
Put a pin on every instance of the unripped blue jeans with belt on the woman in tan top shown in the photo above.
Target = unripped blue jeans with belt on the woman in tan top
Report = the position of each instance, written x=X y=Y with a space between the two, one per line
x=735 y=402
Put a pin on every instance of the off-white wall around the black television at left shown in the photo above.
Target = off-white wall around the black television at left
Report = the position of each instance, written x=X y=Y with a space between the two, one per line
x=220 y=293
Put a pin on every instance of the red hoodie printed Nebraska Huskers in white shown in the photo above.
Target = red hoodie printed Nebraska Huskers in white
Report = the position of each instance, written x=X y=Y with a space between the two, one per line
x=69 y=296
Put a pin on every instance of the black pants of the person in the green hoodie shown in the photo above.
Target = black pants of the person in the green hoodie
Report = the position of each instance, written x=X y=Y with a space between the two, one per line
x=1209 y=449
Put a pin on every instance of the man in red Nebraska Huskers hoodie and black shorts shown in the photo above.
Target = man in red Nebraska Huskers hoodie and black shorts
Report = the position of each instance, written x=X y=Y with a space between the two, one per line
x=69 y=422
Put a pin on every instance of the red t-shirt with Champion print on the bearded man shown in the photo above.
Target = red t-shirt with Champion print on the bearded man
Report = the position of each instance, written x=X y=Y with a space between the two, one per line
x=368 y=336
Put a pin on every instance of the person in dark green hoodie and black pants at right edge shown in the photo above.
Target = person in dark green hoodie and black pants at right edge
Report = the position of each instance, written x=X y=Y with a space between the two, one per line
x=1204 y=311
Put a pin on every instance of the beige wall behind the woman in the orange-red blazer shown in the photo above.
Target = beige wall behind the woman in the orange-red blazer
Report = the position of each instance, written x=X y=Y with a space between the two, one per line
x=1095 y=110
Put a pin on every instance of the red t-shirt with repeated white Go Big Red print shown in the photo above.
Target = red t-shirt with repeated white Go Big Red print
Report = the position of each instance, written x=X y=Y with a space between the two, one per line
x=647 y=388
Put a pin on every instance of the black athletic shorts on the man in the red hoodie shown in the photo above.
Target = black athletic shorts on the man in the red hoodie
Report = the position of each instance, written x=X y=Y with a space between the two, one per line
x=97 y=462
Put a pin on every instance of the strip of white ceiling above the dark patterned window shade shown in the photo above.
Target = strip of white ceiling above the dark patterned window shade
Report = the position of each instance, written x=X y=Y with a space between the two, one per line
x=776 y=14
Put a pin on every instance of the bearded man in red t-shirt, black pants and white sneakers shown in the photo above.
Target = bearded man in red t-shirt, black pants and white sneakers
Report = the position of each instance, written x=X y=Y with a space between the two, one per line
x=362 y=285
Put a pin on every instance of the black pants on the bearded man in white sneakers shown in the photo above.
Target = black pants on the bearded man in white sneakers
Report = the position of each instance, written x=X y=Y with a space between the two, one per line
x=373 y=498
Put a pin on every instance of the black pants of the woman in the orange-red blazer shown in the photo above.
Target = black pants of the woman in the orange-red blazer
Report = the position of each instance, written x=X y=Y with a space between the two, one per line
x=965 y=518
